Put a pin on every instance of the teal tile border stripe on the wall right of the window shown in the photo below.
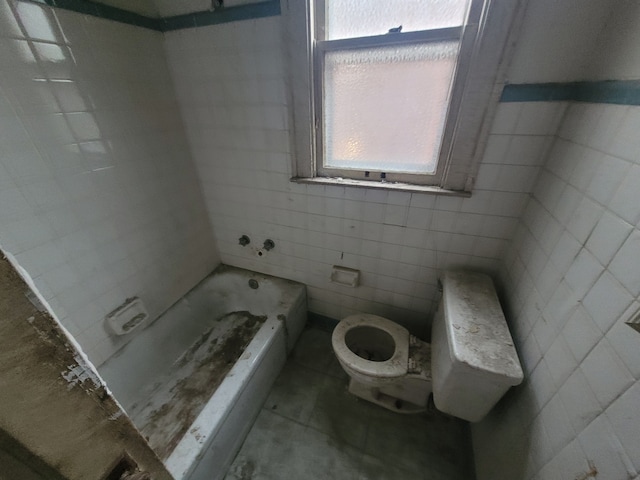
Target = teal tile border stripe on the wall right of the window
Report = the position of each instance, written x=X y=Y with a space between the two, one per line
x=619 y=92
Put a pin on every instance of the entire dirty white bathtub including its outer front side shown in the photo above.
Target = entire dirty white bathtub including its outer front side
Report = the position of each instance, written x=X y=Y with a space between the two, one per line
x=194 y=380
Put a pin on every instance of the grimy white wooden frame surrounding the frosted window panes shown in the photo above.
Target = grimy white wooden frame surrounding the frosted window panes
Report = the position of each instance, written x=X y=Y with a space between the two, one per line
x=486 y=45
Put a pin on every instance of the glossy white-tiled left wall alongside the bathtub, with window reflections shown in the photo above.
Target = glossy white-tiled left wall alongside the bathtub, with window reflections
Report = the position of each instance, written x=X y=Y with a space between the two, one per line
x=99 y=200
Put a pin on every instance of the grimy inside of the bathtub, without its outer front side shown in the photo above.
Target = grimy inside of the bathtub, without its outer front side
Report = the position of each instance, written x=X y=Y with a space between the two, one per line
x=168 y=372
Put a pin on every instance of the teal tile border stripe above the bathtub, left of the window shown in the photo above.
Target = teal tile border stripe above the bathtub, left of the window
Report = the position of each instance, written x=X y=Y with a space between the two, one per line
x=250 y=11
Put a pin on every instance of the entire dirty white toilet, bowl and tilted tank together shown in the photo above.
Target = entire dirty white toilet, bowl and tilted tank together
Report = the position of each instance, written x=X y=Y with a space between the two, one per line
x=468 y=367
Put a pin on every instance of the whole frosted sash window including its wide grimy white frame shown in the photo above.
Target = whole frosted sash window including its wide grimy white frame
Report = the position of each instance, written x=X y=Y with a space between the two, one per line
x=395 y=92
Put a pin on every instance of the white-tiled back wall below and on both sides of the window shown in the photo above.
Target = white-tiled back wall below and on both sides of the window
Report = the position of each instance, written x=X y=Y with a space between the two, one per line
x=233 y=92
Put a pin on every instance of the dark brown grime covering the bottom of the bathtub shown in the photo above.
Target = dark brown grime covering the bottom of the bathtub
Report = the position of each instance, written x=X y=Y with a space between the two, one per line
x=166 y=424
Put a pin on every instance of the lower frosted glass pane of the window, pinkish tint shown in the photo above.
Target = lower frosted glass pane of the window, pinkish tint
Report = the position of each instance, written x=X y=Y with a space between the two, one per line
x=384 y=108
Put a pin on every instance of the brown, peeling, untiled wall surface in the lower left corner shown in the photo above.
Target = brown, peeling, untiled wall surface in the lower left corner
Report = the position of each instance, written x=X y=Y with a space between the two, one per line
x=52 y=401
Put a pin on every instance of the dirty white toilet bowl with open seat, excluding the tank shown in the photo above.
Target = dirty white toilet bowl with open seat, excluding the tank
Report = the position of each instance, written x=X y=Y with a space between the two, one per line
x=387 y=364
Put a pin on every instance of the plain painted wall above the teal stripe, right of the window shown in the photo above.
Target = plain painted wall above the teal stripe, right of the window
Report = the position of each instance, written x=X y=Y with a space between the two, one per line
x=574 y=40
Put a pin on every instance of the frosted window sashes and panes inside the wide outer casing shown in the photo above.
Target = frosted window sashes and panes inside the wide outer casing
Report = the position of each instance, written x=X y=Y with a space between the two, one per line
x=384 y=72
